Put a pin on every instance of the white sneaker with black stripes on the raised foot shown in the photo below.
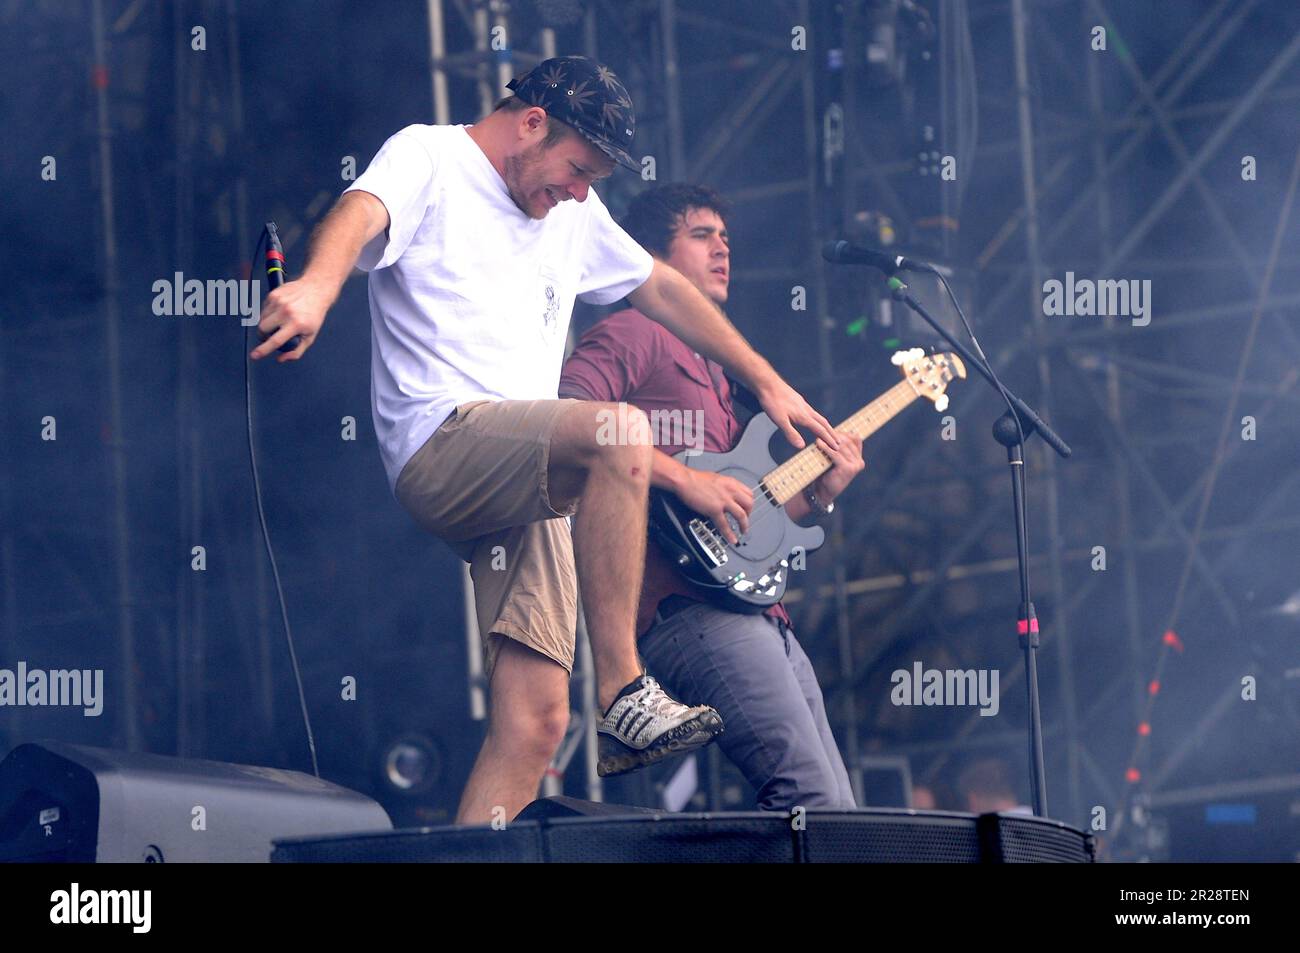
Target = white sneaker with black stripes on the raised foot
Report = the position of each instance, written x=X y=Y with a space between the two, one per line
x=645 y=726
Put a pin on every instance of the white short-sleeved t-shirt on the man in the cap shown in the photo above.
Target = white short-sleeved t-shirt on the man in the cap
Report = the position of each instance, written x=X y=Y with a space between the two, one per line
x=470 y=298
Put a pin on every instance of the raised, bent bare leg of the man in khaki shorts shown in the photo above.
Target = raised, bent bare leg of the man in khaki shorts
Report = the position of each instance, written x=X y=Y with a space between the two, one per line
x=609 y=532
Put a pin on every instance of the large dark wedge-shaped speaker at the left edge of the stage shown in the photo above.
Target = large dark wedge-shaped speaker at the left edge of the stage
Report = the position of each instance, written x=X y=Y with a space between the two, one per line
x=79 y=804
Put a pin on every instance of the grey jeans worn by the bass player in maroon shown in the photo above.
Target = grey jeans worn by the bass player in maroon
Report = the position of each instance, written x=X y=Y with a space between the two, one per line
x=756 y=674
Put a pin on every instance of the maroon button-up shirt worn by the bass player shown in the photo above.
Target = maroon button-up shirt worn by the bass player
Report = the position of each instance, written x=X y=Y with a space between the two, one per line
x=627 y=357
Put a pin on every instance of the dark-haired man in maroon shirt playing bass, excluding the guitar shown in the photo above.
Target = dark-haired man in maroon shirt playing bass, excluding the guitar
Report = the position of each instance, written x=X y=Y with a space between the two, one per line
x=751 y=668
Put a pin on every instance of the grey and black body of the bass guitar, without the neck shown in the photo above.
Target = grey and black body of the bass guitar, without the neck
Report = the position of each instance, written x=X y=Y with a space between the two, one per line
x=753 y=575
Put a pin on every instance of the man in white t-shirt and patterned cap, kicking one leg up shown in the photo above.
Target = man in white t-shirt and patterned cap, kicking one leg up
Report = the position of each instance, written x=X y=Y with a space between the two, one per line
x=475 y=257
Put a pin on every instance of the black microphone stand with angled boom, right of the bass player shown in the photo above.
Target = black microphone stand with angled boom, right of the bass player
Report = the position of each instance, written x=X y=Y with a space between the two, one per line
x=1007 y=434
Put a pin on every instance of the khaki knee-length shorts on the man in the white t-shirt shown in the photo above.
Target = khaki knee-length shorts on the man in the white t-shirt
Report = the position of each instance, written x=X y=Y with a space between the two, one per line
x=479 y=484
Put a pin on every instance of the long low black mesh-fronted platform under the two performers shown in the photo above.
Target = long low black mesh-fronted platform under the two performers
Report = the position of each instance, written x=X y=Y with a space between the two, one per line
x=567 y=831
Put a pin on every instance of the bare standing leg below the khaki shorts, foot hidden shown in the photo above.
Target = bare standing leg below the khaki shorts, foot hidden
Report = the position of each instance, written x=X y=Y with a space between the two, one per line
x=526 y=726
